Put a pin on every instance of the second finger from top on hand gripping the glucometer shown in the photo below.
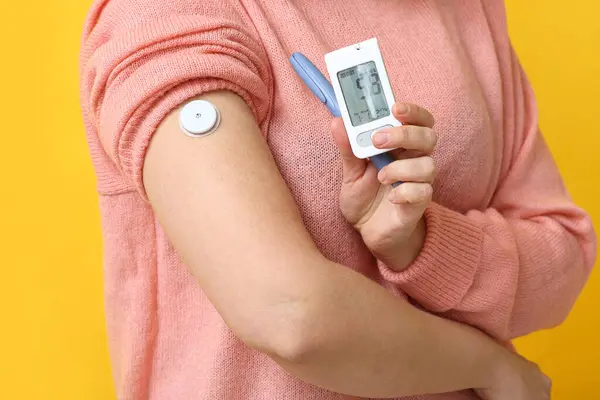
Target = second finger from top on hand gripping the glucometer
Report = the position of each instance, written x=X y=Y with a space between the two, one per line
x=409 y=137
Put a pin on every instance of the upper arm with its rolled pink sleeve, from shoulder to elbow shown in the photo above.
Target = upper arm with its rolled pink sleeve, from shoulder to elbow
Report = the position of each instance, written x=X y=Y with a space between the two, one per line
x=220 y=199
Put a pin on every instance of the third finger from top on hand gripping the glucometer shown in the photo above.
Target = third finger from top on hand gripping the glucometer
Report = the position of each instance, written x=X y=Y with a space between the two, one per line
x=421 y=169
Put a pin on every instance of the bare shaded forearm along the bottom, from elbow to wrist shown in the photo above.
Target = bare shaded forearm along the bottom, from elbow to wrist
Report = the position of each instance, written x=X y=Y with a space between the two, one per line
x=364 y=342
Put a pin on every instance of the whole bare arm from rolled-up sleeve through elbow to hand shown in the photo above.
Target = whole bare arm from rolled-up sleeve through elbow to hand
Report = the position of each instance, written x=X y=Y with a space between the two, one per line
x=321 y=321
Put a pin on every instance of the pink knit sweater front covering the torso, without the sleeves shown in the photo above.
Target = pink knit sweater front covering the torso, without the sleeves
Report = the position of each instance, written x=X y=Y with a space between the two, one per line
x=166 y=339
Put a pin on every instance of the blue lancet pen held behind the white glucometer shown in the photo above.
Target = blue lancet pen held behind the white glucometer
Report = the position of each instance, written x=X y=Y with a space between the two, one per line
x=321 y=87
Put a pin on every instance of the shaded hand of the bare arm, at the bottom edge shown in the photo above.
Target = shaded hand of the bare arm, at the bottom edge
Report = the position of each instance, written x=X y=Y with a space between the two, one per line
x=518 y=379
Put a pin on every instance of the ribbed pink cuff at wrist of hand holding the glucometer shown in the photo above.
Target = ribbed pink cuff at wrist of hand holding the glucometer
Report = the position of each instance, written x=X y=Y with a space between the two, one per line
x=443 y=272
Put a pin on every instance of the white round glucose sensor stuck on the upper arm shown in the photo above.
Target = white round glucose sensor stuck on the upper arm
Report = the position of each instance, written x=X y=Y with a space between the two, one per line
x=199 y=118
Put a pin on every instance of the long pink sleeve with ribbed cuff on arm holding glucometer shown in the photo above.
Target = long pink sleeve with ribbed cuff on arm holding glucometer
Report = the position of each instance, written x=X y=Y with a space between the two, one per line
x=517 y=266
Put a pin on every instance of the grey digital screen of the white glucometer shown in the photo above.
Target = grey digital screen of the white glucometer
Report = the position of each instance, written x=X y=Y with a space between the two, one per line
x=363 y=93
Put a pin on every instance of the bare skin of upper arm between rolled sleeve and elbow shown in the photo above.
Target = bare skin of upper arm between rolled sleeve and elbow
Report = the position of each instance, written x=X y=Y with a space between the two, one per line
x=228 y=212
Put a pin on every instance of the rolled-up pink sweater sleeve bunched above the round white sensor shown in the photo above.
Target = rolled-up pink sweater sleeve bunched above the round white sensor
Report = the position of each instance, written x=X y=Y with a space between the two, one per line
x=140 y=59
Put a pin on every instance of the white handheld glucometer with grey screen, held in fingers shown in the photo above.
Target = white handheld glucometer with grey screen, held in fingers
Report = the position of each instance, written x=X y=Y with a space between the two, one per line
x=353 y=66
